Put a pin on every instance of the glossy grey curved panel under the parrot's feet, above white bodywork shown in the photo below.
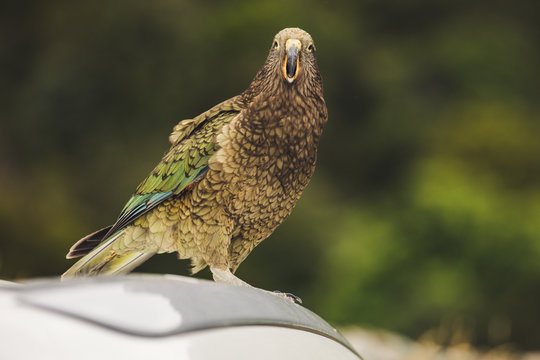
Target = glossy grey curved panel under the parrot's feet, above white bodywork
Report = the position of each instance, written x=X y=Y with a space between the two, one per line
x=163 y=305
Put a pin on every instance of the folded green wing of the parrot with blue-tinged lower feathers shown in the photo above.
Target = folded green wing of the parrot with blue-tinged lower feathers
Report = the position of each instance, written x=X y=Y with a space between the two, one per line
x=193 y=143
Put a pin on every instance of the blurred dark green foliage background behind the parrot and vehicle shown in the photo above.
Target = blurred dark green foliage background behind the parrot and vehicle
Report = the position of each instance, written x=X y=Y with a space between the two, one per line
x=424 y=211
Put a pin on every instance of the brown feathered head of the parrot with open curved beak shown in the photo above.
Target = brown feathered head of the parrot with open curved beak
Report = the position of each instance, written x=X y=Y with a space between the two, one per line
x=291 y=62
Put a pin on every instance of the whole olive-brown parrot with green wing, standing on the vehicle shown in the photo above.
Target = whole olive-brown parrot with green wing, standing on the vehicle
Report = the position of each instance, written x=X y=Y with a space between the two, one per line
x=232 y=174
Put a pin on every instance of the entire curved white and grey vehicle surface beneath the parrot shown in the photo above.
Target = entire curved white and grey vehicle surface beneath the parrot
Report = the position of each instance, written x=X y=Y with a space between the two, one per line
x=158 y=317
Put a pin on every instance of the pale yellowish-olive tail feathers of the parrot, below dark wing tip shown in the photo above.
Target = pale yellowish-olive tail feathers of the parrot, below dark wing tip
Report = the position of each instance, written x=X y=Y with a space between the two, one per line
x=104 y=260
